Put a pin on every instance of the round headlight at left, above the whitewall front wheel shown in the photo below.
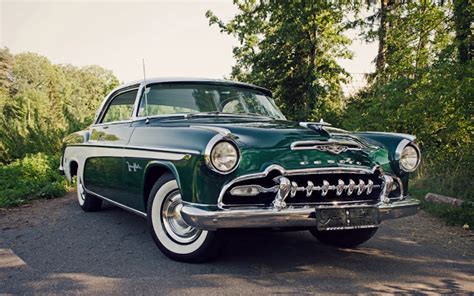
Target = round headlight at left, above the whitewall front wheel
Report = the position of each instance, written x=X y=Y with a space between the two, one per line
x=224 y=157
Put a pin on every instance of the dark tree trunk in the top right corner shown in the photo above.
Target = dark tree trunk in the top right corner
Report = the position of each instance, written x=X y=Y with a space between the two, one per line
x=463 y=20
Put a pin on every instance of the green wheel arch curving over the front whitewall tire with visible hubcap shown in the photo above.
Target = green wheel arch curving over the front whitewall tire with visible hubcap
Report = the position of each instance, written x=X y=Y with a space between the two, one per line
x=153 y=171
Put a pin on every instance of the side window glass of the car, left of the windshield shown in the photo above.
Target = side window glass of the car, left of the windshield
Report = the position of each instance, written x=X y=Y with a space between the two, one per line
x=120 y=107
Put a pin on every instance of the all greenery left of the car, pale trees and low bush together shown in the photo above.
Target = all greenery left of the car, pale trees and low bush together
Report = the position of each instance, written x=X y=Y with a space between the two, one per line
x=40 y=103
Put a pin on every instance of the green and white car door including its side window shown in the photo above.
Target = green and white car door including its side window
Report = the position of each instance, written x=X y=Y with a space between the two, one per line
x=103 y=170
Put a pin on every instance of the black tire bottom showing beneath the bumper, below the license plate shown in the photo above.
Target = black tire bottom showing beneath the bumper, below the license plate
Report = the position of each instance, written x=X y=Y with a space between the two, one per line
x=348 y=238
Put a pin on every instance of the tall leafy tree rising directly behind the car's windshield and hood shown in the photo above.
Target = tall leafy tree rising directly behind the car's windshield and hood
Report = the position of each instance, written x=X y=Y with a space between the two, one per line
x=292 y=47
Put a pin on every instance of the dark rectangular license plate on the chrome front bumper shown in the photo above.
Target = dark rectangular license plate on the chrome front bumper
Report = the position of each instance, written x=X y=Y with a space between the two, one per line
x=349 y=218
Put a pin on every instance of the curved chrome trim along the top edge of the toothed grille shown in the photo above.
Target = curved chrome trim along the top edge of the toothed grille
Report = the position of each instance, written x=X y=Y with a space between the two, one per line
x=284 y=172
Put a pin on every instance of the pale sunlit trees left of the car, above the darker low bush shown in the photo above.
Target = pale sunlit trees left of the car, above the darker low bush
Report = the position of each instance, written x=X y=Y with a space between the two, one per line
x=41 y=102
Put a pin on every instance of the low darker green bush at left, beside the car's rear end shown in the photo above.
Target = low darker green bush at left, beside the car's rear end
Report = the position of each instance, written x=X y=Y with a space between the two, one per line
x=34 y=176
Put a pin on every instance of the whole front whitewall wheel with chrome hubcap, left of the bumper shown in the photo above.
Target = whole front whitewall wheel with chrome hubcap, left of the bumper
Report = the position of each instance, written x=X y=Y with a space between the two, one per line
x=172 y=235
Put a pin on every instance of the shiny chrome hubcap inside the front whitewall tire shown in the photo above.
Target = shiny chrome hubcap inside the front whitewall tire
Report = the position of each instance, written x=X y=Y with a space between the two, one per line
x=174 y=224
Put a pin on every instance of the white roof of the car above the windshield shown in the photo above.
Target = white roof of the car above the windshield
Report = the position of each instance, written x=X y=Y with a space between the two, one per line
x=195 y=80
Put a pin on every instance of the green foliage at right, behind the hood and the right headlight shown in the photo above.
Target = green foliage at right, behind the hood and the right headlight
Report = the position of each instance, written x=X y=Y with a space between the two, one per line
x=425 y=91
